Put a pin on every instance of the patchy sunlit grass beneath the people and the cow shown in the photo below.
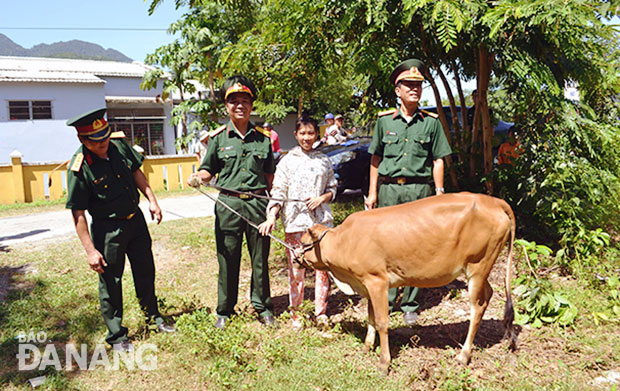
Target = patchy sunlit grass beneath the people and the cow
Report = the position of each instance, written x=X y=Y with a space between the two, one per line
x=47 y=287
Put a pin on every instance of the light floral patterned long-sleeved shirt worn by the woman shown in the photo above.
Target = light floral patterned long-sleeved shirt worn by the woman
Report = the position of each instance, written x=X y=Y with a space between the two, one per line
x=302 y=175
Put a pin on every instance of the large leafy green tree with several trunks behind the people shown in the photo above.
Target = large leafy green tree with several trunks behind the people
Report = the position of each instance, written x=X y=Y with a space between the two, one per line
x=320 y=55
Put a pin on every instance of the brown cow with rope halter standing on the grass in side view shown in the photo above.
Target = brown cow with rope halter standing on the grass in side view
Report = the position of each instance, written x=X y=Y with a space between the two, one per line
x=425 y=243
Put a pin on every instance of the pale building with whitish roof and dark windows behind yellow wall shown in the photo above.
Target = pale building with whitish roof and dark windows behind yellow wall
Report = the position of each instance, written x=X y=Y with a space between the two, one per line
x=38 y=95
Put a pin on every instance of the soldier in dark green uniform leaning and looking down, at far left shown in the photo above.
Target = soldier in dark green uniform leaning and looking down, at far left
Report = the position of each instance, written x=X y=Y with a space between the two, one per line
x=104 y=177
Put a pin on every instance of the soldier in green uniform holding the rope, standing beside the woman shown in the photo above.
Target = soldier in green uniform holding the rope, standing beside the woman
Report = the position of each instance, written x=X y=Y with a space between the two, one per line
x=240 y=153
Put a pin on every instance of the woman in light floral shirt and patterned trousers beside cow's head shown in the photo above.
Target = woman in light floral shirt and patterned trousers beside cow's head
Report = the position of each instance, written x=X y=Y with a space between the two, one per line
x=303 y=174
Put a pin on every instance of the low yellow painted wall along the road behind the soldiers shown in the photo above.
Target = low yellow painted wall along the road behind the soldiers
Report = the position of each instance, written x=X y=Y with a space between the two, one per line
x=34 y=182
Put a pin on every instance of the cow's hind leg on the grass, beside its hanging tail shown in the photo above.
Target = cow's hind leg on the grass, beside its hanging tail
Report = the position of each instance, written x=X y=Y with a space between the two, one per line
x=480 y=293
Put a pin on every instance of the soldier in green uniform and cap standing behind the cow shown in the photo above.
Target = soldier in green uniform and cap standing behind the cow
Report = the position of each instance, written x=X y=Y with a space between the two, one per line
x=407 y=150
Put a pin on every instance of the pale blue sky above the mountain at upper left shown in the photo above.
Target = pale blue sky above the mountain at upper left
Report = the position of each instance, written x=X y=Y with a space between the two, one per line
x=104 y=19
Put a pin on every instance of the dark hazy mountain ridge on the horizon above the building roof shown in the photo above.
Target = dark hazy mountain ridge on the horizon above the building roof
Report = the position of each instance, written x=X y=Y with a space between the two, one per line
x=72 y=49
